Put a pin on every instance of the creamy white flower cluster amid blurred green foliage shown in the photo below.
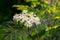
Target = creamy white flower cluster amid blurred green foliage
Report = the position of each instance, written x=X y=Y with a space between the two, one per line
x=29 y=19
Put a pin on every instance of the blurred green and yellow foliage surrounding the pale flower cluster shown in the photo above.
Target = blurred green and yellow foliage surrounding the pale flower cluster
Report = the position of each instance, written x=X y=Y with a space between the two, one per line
x=47 y=10
